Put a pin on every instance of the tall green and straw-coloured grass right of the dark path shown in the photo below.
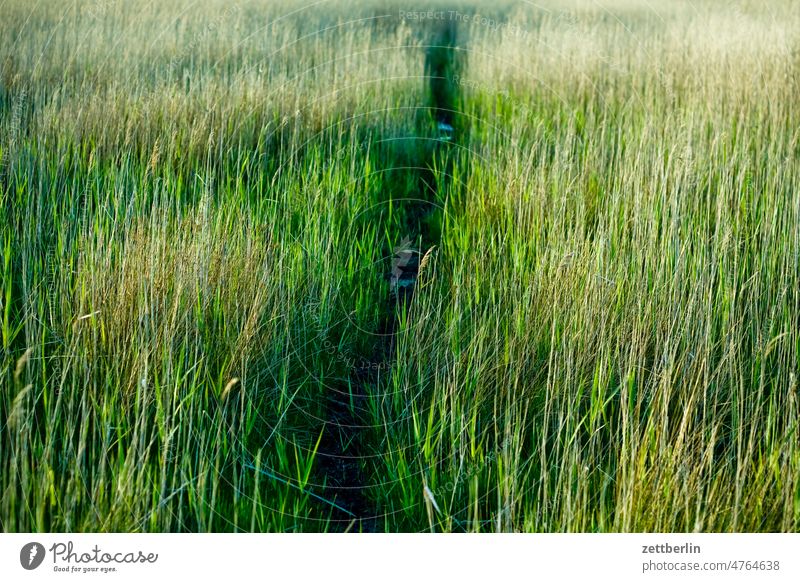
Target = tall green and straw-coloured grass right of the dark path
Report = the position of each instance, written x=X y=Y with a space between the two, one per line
x=610 y=338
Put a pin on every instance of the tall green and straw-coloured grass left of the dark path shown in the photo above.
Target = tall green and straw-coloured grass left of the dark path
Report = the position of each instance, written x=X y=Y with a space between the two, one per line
x=175 y=257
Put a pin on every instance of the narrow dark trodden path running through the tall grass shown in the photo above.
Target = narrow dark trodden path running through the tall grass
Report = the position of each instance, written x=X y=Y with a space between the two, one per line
x=346 y=441
